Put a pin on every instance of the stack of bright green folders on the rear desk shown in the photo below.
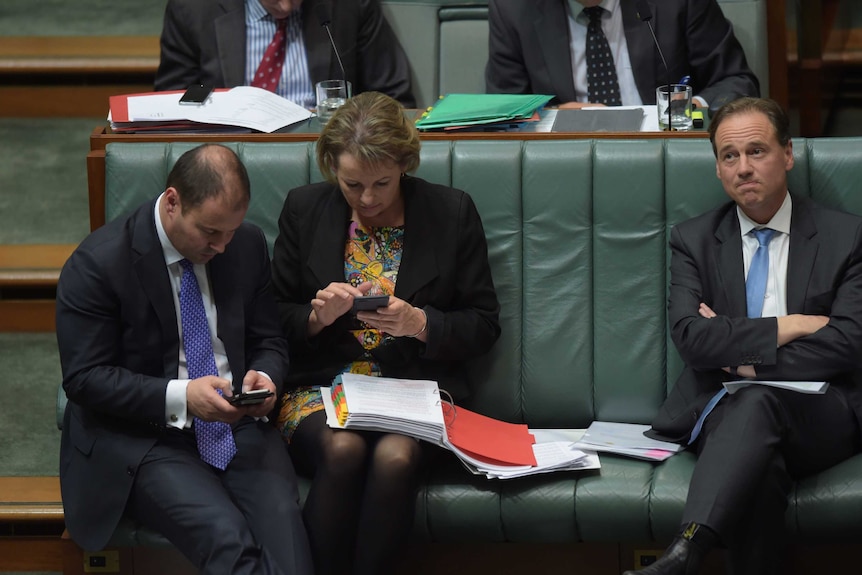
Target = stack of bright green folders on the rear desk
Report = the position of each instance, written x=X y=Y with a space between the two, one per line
x=457 y=110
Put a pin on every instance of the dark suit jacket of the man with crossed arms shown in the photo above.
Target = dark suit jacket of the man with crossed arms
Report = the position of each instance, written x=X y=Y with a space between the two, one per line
x=824 y=277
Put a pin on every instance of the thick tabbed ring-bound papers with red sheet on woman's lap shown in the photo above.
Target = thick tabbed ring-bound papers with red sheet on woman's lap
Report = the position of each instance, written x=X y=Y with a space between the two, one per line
x=414 y=408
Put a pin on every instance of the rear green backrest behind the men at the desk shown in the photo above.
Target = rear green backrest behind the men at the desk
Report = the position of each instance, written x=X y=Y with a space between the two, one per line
x=446 y=42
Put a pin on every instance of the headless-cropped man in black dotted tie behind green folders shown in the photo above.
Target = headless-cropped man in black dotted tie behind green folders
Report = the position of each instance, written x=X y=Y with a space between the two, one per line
x=548 y=46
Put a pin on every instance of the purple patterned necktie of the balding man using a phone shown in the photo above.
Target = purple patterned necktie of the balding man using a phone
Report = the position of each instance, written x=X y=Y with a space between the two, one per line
x=214 y=438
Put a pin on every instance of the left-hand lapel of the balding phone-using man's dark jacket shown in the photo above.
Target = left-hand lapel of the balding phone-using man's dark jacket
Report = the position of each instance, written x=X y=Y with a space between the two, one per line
x=149 y=265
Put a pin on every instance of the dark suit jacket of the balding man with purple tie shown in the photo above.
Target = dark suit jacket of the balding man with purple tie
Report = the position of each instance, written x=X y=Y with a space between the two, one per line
x=119 y=346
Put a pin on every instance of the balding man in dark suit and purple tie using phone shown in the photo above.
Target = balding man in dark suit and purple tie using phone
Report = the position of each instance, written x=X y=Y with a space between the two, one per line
x=161 y=317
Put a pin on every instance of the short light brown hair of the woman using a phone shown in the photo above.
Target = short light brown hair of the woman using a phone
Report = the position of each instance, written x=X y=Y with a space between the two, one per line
x=372 y=128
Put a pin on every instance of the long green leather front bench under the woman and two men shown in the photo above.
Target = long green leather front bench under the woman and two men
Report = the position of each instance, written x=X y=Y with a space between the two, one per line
x=577 y=233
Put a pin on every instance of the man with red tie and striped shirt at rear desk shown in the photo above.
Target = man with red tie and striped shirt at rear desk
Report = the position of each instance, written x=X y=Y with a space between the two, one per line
x=223 y=43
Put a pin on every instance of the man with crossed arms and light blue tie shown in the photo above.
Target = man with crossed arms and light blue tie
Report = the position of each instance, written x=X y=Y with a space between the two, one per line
x=766 y=287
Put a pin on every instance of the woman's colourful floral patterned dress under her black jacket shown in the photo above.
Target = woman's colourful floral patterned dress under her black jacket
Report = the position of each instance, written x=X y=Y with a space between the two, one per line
x=372 y=254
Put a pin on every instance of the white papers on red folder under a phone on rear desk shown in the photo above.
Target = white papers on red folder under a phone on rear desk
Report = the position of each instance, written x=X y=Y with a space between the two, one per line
x=241 y=107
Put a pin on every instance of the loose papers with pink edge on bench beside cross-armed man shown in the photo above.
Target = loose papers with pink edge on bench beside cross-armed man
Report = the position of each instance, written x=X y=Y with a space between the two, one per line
x=626 y=439
